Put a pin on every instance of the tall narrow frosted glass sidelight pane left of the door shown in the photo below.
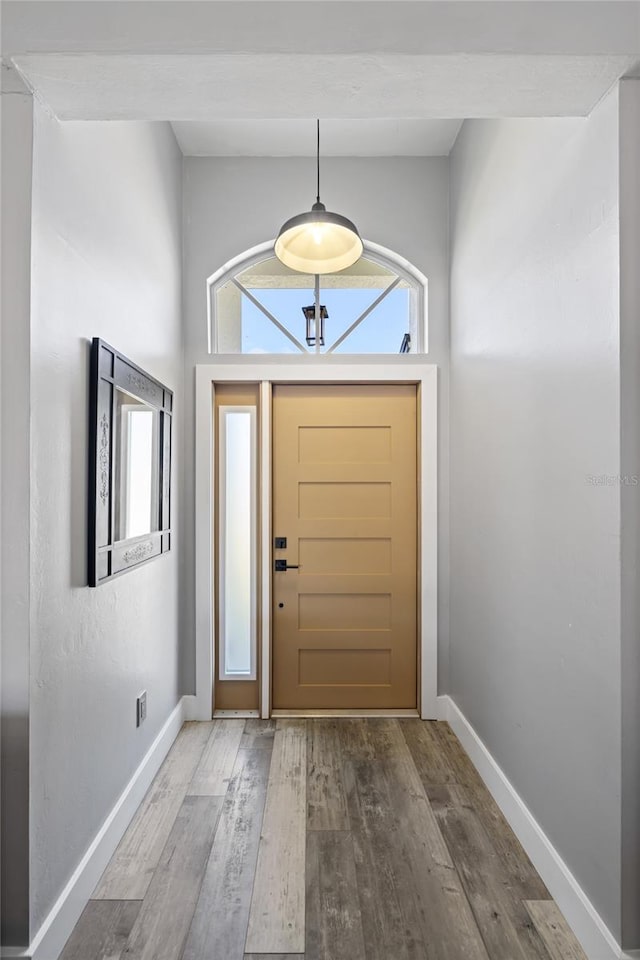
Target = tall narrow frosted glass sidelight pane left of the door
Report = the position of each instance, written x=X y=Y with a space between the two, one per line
x=237 y=543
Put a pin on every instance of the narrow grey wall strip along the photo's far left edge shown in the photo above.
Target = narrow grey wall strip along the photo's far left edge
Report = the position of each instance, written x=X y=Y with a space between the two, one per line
x=17 y=143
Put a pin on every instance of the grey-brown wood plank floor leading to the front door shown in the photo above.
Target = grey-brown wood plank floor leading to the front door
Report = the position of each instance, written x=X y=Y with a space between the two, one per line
x=324 y=839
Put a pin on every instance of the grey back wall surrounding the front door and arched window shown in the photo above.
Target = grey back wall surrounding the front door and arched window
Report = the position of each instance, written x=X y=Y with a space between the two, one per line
x=232 y=204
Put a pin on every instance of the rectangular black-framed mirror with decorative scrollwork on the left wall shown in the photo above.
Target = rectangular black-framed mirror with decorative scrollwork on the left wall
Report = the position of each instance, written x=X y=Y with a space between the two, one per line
x=130 y=416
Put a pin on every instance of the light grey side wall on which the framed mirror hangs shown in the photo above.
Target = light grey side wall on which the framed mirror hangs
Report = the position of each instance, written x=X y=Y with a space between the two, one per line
x=106 y=262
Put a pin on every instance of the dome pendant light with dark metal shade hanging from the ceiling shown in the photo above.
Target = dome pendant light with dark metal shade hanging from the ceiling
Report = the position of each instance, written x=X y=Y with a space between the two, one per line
x=318 y=241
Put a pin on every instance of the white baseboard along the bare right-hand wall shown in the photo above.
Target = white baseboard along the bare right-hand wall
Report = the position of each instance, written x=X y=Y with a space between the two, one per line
x=597 y=940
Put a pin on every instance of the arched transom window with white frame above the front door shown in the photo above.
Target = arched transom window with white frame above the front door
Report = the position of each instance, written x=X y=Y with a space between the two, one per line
x=257 y=305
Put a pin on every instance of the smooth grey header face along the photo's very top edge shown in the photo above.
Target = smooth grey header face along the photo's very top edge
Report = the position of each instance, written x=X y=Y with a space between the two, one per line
x=437 y=27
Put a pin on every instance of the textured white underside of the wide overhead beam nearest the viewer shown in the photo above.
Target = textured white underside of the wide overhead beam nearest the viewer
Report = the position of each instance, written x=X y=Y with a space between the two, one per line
x=207 y=87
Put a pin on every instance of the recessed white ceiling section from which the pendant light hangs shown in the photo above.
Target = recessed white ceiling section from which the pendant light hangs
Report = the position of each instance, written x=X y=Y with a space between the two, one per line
x=297 y=138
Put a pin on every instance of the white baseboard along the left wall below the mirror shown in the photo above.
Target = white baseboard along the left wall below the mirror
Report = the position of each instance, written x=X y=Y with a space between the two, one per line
x=65 y=913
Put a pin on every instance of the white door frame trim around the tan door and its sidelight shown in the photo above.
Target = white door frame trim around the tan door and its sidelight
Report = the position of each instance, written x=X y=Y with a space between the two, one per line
x=274 y=370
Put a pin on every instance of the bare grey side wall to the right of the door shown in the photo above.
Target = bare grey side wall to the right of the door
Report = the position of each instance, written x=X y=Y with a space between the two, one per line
x=535 y=569
